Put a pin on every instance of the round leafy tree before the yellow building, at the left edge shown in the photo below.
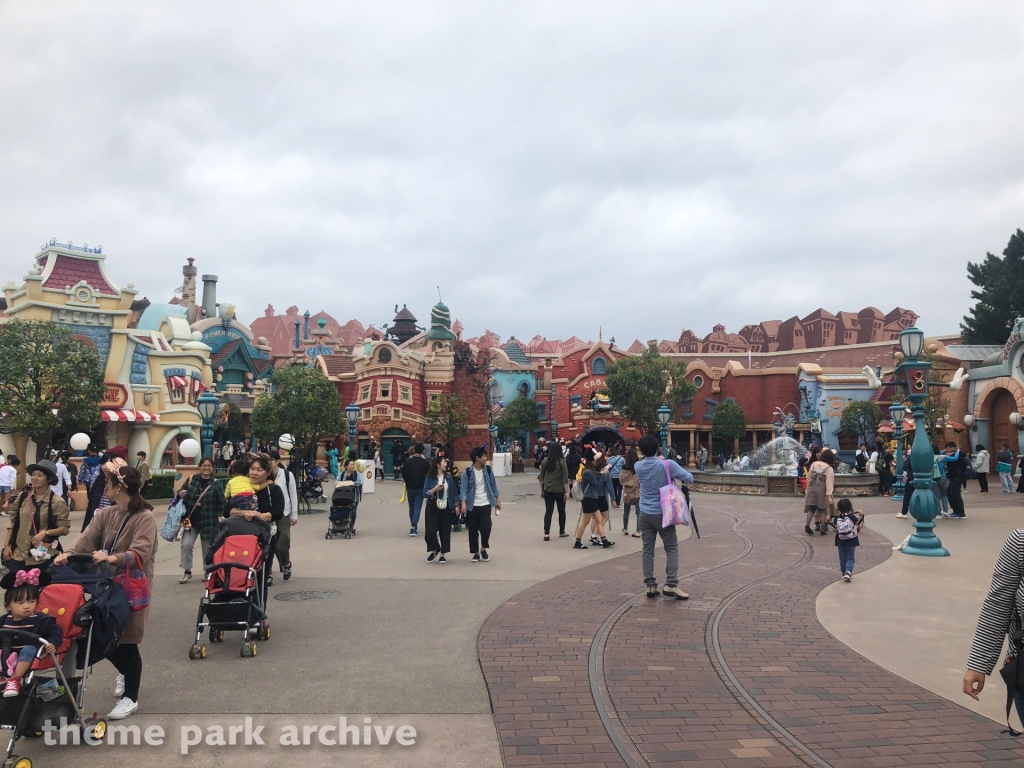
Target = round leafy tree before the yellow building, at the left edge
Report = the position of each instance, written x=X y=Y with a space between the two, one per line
x=51 y=381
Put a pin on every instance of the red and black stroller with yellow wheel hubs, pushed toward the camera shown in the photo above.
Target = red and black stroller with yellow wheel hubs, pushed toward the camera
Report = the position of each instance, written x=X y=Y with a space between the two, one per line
x=234 y=600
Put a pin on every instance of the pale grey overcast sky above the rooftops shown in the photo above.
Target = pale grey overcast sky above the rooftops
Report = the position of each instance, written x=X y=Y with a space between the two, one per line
x=553 y=166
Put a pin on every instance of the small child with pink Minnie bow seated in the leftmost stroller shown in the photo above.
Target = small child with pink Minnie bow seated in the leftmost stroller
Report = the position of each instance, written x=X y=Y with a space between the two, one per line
x=20 y=602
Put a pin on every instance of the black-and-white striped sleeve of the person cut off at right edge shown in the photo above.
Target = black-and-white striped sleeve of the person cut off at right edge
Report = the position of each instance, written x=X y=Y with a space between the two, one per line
x=1005 y=596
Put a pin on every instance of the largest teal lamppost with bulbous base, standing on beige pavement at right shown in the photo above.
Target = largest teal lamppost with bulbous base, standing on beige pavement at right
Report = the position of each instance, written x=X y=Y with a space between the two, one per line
x=924 y=506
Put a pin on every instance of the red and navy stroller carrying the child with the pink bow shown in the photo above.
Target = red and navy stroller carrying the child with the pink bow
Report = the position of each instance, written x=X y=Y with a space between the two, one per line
x=92 y=611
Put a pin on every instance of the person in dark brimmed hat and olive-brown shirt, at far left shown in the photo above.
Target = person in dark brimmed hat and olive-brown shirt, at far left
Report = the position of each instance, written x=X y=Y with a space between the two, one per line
x=38 y=519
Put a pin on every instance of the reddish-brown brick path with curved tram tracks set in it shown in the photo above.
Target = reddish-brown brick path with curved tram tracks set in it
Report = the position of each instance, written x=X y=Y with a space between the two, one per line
x=668 y=699
